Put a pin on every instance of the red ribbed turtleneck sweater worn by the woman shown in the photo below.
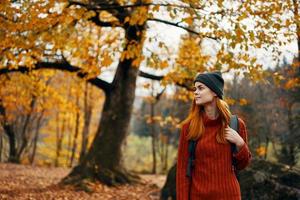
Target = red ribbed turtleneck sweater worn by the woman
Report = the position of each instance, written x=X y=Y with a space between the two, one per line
x=213 y=177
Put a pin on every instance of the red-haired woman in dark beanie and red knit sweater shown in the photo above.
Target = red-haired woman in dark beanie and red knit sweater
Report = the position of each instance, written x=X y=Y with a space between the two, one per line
x=213 y=177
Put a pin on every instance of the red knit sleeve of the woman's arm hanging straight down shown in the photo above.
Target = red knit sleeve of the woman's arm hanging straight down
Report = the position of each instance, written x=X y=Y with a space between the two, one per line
x=182 y=181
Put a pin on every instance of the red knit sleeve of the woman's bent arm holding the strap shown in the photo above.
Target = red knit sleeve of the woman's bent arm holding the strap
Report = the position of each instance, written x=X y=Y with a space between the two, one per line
x=243 y=156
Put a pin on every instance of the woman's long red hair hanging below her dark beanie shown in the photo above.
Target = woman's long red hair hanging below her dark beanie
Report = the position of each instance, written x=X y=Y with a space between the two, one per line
x=196 y=125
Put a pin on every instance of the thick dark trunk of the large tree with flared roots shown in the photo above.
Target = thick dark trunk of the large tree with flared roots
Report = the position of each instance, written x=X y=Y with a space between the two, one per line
x=103 y=161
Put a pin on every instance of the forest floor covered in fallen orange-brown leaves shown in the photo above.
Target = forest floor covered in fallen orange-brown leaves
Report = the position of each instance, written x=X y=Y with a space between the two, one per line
x=32 y=182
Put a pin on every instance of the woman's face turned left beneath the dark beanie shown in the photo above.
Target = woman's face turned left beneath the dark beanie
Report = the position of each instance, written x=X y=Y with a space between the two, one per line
x=203 y=95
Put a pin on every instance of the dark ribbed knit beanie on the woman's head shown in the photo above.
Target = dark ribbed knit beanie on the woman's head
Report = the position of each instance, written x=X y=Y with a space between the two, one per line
x=213 y=80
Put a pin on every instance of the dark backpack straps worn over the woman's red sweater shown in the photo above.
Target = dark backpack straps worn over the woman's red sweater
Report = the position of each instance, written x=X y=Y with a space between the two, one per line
x=192 y=146
